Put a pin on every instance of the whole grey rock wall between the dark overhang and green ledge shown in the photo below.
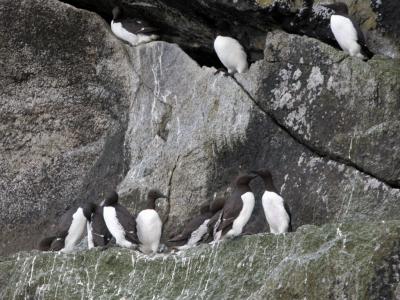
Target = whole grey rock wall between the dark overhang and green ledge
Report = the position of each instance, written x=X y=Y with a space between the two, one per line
x=81 y=119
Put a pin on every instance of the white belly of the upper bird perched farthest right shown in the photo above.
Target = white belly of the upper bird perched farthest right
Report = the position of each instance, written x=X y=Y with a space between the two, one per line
x=345 y=34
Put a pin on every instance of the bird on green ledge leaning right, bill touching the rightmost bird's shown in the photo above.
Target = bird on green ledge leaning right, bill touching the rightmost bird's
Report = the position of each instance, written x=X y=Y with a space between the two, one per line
x=237 y=209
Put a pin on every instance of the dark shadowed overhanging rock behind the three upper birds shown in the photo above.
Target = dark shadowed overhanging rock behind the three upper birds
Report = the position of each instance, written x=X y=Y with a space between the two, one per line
x=193 y=24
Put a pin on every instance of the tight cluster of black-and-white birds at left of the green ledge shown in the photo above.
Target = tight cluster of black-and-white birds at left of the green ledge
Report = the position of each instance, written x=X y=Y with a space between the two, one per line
x=106 y=222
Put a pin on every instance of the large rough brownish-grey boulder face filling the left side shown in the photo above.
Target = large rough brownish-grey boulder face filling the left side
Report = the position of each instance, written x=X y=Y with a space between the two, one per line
x=64 y=87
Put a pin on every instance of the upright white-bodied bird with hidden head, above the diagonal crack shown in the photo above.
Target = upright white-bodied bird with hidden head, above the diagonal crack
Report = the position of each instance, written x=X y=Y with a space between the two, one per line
x=231 y=54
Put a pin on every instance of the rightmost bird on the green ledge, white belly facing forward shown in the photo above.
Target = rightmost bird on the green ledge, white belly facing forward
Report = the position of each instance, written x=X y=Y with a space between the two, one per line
x=276 y=210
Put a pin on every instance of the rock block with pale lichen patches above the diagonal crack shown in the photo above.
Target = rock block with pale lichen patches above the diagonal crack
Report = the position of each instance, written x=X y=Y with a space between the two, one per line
x=341 y=107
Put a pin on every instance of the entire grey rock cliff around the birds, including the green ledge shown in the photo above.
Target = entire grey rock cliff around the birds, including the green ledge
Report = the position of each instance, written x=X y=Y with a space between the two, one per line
x=82 y=113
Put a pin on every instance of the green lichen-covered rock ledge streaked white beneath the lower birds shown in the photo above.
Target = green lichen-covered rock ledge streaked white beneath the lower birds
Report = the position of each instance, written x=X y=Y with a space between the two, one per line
x=353 y=261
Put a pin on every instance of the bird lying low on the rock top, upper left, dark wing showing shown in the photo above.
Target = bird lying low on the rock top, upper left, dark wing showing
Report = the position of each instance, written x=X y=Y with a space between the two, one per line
x=133 y=31
